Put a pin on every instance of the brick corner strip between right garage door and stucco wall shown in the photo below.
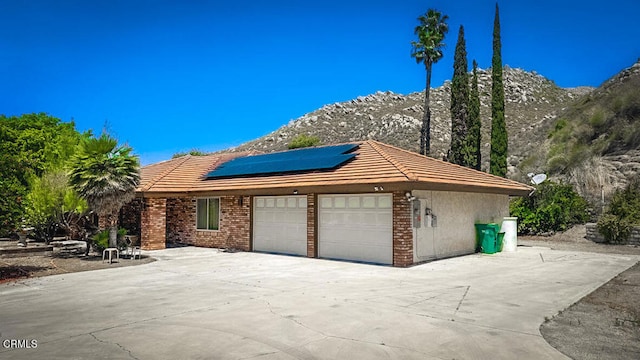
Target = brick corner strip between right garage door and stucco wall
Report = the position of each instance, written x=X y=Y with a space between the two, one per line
x=402 y=231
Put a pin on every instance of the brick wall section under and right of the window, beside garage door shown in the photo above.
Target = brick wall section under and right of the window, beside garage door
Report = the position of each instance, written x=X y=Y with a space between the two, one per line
x=235 y=225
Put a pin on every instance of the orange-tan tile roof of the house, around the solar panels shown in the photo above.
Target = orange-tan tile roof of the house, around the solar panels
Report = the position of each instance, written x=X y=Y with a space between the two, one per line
x=375 y=164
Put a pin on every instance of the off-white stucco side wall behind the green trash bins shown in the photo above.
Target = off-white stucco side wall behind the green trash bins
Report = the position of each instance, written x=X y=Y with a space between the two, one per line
x=456 y=212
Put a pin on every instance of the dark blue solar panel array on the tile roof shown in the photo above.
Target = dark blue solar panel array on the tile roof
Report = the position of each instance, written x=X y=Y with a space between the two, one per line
x=299 y=160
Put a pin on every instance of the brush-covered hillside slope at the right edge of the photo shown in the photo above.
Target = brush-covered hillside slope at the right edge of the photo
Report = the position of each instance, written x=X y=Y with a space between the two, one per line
x=595 y=142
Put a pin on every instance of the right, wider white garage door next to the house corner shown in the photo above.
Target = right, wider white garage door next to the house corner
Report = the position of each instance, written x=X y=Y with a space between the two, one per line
x=356 y=227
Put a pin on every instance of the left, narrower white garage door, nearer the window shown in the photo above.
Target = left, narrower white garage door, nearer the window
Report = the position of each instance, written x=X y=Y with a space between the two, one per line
x=280 y=224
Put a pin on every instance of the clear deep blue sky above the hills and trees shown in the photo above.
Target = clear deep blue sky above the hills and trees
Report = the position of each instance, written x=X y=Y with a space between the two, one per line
x=169 y=76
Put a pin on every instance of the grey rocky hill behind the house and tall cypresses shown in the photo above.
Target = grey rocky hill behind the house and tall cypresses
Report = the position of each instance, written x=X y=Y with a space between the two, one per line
x=532 y=106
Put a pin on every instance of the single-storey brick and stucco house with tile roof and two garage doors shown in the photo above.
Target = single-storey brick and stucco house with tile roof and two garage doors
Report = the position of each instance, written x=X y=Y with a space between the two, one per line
x=364 y=201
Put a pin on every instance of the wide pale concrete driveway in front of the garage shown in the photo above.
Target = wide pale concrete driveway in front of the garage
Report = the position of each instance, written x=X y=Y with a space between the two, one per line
x=197 y=303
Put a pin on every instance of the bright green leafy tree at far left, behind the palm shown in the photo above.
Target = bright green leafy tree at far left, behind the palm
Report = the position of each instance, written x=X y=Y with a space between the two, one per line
x=30 y=145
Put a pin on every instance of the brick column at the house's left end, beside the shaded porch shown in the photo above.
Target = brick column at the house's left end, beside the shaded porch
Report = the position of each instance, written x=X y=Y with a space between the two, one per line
x=153 y=224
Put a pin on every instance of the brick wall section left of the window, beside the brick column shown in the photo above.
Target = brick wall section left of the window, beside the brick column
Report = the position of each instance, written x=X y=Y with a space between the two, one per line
x=181 y=220
